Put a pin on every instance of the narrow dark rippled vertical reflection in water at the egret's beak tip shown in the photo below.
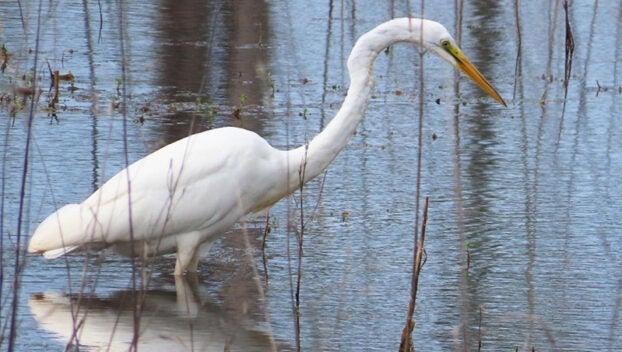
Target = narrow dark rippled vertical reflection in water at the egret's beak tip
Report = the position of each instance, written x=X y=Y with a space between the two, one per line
x=476 y=160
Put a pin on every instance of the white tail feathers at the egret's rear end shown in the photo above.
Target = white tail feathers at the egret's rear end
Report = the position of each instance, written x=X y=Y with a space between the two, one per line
x=61 y=232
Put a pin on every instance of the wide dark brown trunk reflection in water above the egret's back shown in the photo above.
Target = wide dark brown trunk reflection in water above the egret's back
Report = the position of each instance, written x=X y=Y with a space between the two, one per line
x=211 y=61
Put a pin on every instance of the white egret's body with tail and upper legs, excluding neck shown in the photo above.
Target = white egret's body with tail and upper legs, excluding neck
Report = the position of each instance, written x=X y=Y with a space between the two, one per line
x=181 y=197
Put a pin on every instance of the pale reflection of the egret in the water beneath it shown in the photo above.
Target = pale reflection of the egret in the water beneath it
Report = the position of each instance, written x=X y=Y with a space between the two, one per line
x=168 y=320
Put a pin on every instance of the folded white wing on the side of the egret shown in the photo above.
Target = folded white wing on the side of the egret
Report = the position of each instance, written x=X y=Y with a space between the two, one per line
x=195 y=184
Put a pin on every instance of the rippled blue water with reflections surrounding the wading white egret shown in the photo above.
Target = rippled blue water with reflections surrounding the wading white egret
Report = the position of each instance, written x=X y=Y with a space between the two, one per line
x=526 y=196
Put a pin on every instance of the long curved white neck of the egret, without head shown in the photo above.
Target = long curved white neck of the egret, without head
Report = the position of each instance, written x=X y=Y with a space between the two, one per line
x=312 y=159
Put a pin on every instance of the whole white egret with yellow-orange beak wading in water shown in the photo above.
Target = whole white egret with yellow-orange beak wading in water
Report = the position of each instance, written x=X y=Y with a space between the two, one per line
x=181 y=198
